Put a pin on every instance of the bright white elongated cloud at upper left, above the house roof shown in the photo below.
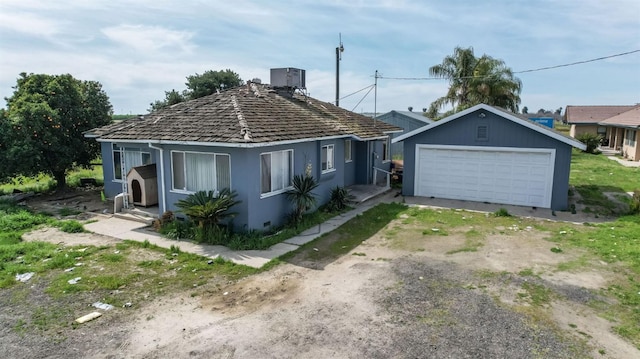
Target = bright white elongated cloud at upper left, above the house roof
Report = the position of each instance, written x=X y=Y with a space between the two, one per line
x=144 y=38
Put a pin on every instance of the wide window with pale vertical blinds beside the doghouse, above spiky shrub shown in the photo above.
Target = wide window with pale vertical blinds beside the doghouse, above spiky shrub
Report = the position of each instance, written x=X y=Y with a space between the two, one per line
x=198 y=171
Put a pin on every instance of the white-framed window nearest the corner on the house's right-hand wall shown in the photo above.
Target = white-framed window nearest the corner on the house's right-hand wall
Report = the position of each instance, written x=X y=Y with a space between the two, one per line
x=276 y=171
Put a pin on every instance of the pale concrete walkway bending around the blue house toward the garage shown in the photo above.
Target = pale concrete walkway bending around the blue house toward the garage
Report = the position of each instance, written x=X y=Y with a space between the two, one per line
x=127 y=229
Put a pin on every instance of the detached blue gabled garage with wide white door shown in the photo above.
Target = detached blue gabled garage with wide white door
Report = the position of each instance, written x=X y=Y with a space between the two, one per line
x=486 y=154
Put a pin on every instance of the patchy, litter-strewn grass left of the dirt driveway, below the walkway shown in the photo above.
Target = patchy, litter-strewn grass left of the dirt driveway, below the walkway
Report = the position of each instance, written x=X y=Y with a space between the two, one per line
x=115 y=274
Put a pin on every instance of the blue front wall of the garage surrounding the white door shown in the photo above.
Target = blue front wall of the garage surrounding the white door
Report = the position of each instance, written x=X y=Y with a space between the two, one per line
x=500 y=132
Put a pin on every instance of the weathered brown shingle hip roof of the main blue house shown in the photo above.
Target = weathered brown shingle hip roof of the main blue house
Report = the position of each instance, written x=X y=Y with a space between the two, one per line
x=252 y=115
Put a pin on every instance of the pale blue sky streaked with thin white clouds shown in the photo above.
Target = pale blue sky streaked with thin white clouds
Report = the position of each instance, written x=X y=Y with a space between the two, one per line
x=139 y=49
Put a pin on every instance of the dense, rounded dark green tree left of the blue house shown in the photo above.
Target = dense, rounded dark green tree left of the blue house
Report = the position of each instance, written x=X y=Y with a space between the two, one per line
x=45 y=120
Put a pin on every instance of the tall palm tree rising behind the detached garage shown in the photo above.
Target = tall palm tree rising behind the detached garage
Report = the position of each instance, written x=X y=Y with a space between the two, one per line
x=474 y=80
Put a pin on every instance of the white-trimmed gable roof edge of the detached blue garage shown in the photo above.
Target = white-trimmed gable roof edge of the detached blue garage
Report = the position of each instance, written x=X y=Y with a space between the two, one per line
x=521 y=120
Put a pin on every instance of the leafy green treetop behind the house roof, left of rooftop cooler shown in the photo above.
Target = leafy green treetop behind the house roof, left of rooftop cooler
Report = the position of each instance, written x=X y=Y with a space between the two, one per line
x=199 y=85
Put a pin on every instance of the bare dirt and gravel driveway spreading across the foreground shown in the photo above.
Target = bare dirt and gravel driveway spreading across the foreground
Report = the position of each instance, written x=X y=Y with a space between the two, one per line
x=393 y=296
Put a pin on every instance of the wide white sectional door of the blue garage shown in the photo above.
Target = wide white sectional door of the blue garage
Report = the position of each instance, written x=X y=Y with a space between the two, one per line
x=519 y=176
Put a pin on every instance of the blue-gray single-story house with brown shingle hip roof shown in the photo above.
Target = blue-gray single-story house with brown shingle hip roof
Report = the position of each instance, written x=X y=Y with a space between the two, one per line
x=252 y=139
